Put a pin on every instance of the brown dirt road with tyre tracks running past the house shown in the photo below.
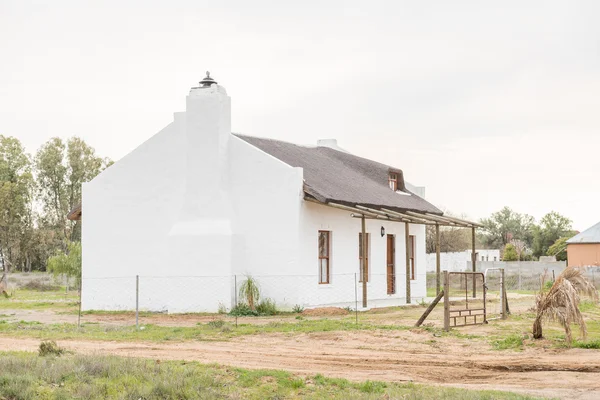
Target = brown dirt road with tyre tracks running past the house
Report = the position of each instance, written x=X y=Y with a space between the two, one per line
x=379 y=355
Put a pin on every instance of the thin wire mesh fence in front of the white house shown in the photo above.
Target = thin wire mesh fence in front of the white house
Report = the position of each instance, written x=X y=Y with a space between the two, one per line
x=222 y=294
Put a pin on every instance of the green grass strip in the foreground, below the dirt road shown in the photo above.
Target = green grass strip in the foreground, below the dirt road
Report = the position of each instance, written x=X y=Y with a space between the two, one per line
x=26 y=377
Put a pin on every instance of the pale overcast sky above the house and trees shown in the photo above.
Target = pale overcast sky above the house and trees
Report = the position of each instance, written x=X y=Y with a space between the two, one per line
x=486 y=104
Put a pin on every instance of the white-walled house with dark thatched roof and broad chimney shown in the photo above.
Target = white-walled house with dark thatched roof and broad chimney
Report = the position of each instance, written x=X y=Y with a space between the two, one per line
x=195 y=209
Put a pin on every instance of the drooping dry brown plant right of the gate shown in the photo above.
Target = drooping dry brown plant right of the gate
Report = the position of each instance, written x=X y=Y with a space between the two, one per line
x=561 y=302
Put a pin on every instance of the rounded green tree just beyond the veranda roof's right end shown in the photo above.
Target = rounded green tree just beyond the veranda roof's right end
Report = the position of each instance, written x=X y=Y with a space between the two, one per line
x=506 y=225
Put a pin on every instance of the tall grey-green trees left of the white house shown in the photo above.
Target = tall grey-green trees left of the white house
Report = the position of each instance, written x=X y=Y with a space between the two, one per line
x=36 y=194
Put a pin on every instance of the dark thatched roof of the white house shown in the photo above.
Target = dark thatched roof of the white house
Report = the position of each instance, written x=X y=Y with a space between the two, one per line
x=339 y=177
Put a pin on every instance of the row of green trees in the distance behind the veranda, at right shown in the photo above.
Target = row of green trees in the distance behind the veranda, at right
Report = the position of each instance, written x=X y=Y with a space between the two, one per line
x=518 y=235
